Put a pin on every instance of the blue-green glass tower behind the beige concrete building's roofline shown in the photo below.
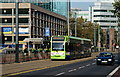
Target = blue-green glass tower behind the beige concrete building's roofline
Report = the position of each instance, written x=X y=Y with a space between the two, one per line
x=57 y=6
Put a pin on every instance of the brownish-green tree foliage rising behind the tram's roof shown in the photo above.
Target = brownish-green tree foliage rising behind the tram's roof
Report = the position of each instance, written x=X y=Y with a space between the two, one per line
x=84 y=29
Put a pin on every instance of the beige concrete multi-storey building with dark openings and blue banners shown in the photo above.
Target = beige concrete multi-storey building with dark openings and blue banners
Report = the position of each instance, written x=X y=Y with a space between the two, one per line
x=34 y=21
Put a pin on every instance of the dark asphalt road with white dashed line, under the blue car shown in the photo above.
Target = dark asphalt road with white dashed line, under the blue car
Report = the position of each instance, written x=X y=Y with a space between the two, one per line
x=79 y=69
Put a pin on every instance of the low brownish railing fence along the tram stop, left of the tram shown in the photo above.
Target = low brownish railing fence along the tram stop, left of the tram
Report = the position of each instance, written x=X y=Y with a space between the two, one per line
x=9 y=55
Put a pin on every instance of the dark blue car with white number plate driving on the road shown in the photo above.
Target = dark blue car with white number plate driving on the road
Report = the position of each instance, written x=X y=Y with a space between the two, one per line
x=105 y=58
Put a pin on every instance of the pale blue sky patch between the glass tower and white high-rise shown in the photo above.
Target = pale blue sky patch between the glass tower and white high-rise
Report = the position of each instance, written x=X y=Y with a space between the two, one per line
x=83 y=4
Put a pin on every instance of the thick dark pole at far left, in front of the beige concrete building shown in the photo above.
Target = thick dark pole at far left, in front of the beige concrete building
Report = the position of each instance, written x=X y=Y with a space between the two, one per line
x=17 y=33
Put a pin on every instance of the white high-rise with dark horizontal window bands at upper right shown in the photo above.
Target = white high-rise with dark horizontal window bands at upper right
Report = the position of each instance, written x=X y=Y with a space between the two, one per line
x=101 y=13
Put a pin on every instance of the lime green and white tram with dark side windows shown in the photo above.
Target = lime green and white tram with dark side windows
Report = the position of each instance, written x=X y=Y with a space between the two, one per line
x=69 y=47
